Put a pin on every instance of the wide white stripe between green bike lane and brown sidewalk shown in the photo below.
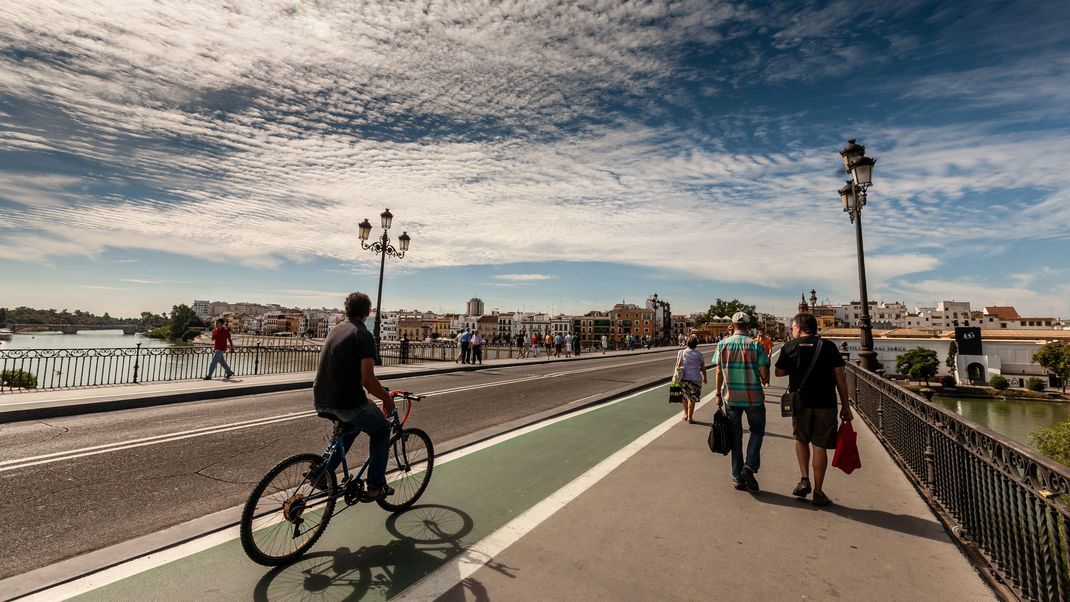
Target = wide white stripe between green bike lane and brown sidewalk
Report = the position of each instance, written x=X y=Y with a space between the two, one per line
x=446 y=578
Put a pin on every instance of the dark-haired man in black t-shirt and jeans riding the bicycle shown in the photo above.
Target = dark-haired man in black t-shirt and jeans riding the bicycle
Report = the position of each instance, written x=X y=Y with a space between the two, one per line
x=347 y=367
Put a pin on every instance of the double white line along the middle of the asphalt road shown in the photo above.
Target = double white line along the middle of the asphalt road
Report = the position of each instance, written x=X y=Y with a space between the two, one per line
x=169 y=438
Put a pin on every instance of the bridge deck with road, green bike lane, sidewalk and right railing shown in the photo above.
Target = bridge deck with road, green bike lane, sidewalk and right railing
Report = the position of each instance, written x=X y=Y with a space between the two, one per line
x=555 y=480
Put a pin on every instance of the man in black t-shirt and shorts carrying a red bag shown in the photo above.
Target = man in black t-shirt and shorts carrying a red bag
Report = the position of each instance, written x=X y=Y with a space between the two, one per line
x=814 y=425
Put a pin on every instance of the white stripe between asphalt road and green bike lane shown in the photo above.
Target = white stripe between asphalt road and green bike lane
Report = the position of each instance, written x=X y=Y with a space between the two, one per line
x=149 y=562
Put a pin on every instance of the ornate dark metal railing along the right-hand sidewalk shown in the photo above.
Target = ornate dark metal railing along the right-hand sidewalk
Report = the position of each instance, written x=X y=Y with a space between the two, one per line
x=1008 y=502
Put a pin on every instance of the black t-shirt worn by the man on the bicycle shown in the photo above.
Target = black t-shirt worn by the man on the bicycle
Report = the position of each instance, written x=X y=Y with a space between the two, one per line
x=339 y=376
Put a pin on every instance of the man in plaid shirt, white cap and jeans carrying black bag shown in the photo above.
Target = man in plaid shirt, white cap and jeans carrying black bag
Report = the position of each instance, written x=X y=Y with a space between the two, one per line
x=743 y=369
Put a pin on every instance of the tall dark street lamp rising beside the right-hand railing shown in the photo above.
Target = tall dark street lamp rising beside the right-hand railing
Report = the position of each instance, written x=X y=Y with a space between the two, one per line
x=853 y=199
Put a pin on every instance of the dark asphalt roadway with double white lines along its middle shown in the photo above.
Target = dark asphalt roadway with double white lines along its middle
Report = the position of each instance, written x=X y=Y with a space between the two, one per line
x=80 y=484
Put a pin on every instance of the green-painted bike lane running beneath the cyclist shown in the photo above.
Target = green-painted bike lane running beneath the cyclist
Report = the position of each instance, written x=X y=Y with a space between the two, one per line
x=368 y=553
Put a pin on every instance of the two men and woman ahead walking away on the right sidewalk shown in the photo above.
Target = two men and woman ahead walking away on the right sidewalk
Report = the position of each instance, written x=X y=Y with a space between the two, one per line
x=815 y=369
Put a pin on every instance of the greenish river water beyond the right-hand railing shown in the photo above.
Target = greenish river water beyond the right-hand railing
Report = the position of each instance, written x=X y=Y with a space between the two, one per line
x=1015 y=420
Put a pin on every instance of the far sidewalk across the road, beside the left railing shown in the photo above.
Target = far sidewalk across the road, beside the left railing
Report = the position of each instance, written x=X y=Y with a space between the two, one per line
x=32 y=406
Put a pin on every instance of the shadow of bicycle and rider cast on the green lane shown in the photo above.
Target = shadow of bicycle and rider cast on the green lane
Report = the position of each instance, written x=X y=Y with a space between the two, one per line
x=427 y=536
